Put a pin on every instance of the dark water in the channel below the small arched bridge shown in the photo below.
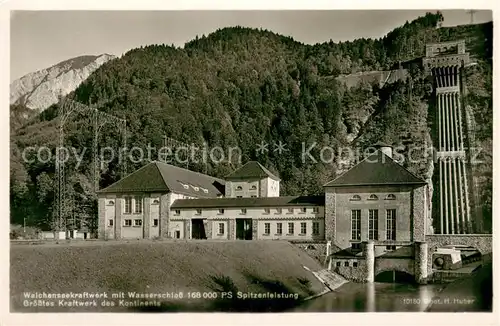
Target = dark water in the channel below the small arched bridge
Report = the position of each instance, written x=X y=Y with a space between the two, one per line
x=381 y=297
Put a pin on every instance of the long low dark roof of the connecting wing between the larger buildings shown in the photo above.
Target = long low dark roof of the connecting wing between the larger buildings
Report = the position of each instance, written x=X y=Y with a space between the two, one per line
x=250 y=202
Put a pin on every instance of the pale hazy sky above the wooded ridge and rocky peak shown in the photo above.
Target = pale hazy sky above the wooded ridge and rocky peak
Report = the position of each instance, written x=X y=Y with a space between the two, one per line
x=40 y=39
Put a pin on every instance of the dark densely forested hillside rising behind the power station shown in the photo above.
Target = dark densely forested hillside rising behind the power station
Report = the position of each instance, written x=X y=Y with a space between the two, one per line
x=241 y=86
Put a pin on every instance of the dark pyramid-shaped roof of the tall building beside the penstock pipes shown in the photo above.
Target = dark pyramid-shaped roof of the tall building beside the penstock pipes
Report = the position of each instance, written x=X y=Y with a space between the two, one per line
x=376 y=169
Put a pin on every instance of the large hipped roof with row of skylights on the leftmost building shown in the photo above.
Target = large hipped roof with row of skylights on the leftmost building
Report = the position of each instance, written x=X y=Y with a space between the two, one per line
x=162 y=177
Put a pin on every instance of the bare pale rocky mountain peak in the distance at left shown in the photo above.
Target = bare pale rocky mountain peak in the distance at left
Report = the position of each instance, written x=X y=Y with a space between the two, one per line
x=40 y=89
